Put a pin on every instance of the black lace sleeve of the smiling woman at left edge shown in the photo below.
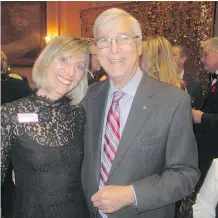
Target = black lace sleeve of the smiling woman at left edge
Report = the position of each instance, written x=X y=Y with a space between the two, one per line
x=6 y=138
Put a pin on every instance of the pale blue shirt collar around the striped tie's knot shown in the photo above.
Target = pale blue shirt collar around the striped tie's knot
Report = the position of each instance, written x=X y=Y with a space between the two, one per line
x=131 y=87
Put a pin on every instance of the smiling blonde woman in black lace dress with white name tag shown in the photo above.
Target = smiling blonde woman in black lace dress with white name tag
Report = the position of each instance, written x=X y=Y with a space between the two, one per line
x=42 y=134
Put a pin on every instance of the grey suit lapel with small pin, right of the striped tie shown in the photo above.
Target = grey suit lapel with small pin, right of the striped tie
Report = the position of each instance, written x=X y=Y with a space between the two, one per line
x=139 y=112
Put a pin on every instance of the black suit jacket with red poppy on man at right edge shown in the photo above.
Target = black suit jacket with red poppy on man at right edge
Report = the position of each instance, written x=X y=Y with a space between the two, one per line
x=207 y=131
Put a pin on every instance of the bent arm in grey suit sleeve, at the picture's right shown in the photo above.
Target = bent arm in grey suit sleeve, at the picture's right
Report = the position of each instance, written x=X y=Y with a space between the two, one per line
x=180 y=165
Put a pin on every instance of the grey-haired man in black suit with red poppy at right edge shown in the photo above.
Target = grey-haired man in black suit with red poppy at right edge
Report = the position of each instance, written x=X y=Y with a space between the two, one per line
x=206 y=119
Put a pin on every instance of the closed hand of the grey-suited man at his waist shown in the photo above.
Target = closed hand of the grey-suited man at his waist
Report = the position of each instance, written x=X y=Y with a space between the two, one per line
x=112 y=198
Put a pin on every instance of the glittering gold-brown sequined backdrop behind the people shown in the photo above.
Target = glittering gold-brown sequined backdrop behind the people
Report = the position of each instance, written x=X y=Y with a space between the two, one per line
x=186 y=23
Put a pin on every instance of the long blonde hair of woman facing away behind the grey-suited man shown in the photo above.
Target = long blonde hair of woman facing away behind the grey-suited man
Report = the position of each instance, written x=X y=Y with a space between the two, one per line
x=157 y=52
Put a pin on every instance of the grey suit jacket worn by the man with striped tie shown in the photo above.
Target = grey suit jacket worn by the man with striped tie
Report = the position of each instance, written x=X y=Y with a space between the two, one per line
x=157 y=153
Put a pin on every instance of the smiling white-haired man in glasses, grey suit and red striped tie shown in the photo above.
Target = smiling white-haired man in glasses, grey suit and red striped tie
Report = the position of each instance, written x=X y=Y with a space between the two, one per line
x=140 y=150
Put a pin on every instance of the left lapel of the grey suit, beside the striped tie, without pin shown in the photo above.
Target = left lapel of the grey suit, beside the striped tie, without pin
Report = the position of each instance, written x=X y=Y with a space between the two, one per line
x=99 y=102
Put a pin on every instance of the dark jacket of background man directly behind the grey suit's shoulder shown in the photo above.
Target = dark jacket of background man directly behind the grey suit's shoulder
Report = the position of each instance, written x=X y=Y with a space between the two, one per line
x=194 y=89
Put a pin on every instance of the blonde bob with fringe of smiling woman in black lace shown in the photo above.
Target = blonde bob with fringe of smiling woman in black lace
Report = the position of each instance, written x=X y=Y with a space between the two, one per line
x=61 y=44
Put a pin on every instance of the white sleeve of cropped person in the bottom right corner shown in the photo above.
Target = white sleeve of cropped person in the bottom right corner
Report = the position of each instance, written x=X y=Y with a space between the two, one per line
x=207 y=198
